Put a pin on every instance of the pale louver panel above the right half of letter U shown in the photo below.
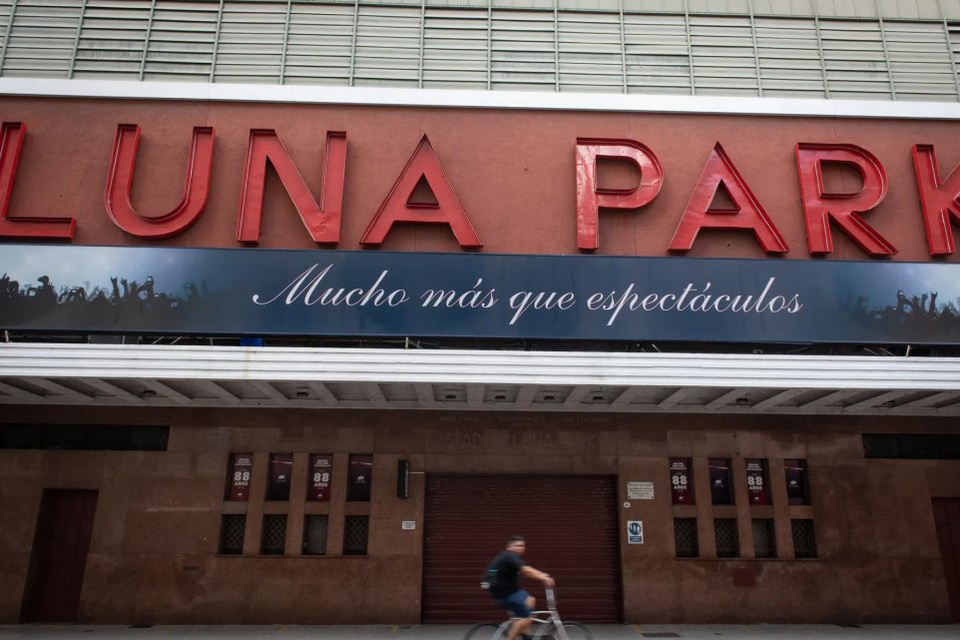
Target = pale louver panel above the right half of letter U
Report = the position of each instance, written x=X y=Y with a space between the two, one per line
x=182 y=37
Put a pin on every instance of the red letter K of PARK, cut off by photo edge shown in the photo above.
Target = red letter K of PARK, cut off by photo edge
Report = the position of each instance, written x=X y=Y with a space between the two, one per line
x=938 y=199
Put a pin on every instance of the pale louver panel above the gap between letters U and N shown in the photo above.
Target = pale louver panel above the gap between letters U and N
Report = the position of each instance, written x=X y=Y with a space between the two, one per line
x=251 y=42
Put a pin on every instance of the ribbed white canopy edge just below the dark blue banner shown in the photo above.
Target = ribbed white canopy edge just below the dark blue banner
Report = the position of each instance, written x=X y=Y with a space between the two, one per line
x=385 y=366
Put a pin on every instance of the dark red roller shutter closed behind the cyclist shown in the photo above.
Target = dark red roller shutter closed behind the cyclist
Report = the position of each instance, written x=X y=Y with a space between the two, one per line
x=570 y=523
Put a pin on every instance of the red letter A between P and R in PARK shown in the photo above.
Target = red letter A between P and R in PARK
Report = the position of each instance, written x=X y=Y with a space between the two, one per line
x=747 y=212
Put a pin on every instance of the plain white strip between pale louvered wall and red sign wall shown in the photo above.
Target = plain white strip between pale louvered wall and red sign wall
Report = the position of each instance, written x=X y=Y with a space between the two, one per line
x=473 y=99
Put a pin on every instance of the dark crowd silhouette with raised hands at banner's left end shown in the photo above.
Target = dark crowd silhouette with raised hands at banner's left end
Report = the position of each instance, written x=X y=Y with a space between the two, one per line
x=126 y=304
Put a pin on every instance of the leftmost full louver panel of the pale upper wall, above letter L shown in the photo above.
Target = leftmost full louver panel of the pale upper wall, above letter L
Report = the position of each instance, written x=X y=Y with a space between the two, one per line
x=42 y=39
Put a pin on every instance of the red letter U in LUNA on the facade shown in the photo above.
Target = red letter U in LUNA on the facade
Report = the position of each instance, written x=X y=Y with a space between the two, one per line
x=196 y=185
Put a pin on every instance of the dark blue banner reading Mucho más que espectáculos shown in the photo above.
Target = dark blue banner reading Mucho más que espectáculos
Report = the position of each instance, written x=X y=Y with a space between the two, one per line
x=259 y=292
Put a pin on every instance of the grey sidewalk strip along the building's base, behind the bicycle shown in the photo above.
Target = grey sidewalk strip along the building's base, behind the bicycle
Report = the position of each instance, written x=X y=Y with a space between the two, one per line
x=455 y=632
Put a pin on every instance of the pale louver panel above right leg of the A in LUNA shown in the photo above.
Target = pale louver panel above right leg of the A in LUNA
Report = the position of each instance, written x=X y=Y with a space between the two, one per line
x=456 y=48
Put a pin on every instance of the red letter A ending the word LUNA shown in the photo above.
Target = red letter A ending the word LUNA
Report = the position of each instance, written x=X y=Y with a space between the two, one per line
x=423 y=164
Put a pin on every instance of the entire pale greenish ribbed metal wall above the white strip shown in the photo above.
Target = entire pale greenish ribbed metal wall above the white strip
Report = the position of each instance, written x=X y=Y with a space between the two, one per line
x=879 y=49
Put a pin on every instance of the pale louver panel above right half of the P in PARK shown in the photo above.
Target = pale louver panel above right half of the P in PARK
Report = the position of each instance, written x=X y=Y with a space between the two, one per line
x=657 y=54
